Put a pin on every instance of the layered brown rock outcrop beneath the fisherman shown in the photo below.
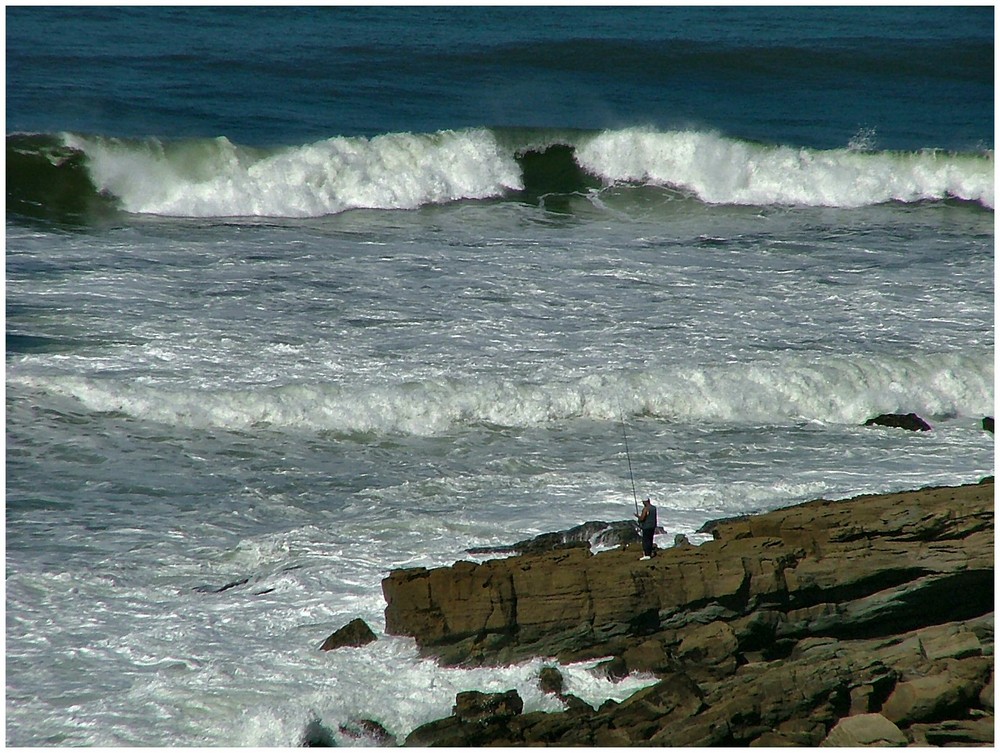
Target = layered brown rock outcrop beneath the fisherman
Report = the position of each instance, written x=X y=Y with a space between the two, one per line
x=776 y=632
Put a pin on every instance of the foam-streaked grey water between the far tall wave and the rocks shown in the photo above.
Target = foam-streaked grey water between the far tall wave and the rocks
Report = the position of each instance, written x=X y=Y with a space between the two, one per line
x=244 y=425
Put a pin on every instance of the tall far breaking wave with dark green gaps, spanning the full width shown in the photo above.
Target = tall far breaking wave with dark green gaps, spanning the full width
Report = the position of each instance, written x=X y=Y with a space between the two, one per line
x=72 y=176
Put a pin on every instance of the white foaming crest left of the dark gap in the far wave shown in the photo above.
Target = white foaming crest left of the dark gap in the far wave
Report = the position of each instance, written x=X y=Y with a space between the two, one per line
x=219 y=179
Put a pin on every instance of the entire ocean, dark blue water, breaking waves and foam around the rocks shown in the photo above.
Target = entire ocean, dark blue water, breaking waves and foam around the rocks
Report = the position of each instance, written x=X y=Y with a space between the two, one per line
x=297 y=296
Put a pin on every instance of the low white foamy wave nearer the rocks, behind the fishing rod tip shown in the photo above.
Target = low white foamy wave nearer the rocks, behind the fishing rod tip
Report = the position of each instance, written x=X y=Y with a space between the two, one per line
x=831 y=389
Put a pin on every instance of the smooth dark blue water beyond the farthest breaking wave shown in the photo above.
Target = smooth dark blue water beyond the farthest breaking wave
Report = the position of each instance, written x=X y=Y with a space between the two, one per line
x=917 y=77
